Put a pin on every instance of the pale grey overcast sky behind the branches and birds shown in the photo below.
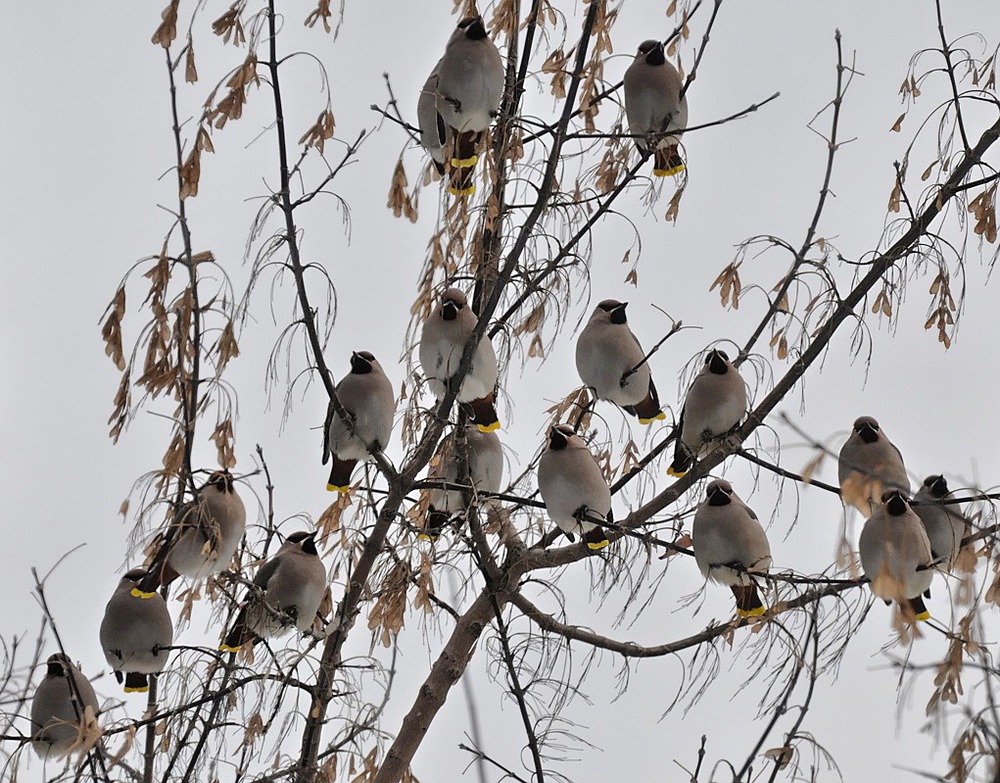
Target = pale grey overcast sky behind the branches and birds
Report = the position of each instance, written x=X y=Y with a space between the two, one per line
x=88 y=156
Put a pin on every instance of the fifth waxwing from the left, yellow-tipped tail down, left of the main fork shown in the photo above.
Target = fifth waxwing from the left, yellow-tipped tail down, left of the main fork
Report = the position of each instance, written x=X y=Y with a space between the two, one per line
x=366 y=394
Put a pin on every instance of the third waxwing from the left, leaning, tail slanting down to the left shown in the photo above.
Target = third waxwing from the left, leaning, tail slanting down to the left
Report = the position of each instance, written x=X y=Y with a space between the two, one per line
x=202 y=538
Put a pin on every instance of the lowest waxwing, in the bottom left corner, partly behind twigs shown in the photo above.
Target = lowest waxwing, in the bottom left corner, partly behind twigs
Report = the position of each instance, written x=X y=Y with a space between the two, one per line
x=57 y=709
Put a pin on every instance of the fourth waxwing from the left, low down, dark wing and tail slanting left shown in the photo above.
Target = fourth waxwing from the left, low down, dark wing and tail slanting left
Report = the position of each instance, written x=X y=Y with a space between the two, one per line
x=289 y=589
